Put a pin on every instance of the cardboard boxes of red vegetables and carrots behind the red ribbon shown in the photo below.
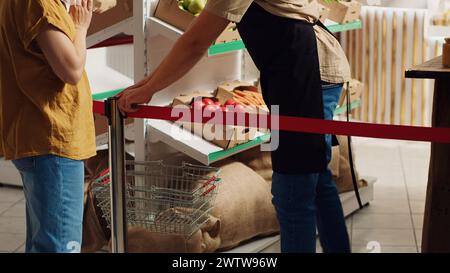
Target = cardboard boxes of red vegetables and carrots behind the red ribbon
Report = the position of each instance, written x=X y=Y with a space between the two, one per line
x=239 y=100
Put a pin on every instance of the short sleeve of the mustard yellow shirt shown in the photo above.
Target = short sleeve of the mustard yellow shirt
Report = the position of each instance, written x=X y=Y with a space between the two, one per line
x=41 y=13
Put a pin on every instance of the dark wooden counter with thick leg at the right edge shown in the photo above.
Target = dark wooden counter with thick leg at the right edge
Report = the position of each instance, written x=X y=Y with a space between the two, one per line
x=436 y=226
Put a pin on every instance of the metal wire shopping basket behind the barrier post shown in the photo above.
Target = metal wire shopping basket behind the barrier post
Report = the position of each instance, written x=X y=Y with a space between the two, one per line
x=163 y=198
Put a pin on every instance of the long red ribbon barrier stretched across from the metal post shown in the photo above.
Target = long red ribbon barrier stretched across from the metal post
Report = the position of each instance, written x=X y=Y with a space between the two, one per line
x=304 y=125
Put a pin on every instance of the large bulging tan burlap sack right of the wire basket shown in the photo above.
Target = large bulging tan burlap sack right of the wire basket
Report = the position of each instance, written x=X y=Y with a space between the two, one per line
x=243 y=205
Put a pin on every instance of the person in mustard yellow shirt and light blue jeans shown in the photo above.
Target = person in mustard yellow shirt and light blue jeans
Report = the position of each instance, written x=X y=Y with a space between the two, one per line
x=46 y=120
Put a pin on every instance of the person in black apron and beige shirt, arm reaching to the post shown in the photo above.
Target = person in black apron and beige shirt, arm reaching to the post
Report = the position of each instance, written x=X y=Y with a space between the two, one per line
x=302 y=70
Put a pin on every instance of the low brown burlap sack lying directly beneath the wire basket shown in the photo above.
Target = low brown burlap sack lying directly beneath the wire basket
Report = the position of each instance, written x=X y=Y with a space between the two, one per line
x=205 y=240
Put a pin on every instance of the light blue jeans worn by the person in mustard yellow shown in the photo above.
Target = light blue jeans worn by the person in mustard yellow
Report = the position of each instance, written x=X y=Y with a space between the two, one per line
x=54 y=192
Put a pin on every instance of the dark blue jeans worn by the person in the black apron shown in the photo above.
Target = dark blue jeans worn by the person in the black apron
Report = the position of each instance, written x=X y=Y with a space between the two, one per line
x=306 y=202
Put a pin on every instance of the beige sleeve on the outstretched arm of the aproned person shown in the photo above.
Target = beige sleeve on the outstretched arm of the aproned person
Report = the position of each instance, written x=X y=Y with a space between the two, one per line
x=232 y=10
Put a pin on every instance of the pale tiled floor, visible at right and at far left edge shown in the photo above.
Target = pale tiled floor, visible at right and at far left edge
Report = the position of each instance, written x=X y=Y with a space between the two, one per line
x=392 y=222
